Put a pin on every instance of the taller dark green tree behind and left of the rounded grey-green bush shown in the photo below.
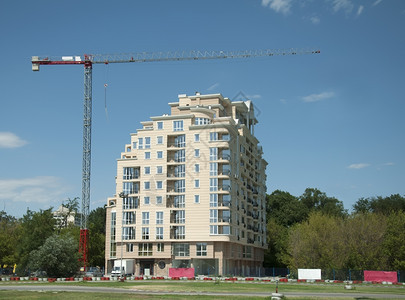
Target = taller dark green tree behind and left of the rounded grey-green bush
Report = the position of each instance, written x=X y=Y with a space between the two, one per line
x=36 y=227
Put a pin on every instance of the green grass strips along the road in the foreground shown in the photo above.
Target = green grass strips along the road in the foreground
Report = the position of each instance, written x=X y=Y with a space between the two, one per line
x=263 y=290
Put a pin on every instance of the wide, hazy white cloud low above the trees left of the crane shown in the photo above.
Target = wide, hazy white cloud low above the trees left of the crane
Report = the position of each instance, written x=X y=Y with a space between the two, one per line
x=45 y=190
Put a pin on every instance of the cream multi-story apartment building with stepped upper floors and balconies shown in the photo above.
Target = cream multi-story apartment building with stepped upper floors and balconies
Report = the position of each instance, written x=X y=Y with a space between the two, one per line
x=190 y=192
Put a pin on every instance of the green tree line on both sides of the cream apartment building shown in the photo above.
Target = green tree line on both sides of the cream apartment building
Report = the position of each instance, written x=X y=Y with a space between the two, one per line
x=309 y=231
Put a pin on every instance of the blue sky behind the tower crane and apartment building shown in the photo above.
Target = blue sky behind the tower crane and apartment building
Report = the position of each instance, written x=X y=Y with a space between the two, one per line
x=332 y=121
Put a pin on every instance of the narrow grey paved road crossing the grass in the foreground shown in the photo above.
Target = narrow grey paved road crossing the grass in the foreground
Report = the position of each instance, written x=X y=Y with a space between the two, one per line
x=89 y=289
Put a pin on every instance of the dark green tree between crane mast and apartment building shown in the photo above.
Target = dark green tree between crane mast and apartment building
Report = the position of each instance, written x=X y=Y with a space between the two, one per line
x=96 y=249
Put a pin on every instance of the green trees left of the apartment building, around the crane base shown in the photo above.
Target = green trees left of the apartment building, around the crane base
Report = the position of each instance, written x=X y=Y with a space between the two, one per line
x=38 y=241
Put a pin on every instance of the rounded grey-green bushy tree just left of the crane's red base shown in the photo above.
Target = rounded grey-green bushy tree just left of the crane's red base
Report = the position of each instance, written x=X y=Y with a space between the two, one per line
x=58 y=256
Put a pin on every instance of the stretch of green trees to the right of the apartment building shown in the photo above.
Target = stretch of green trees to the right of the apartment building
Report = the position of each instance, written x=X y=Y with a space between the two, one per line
x=316 y=231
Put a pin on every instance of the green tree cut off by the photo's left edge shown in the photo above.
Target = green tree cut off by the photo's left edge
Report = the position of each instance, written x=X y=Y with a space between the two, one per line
x=9 y=230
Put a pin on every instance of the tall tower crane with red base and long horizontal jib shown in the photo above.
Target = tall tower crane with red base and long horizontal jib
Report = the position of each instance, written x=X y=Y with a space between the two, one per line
x=87 y=60
